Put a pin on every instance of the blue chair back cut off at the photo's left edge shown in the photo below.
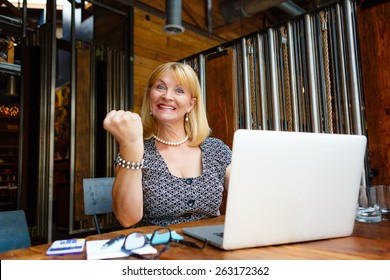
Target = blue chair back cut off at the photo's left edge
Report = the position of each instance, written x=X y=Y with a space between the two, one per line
x=13 y=230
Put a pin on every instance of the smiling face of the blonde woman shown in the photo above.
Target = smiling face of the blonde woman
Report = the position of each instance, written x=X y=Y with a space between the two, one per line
x=170 y=100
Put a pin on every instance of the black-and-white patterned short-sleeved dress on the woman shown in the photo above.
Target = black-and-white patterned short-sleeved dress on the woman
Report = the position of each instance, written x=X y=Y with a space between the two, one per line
x=170 y=200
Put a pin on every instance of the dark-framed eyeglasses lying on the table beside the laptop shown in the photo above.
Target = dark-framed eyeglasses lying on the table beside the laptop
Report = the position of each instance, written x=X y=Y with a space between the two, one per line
x=161 y=236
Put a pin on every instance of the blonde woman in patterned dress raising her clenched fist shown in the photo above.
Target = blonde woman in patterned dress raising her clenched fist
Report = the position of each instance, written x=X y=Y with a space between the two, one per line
x=169 y=171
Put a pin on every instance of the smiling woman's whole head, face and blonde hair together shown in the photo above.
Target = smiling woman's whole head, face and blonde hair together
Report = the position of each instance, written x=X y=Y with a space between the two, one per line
x=184 y=95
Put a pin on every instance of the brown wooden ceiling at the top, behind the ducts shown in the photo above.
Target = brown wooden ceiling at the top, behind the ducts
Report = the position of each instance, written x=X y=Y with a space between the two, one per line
x=222 y=18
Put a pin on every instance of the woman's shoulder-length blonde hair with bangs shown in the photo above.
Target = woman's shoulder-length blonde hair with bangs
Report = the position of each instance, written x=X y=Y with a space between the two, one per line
x=197 y=126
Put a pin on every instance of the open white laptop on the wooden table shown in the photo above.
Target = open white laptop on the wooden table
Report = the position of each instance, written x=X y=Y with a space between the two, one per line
x=288 y=187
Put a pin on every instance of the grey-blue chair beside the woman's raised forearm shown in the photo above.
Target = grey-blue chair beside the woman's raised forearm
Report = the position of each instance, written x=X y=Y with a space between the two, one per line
x=97 y=197
